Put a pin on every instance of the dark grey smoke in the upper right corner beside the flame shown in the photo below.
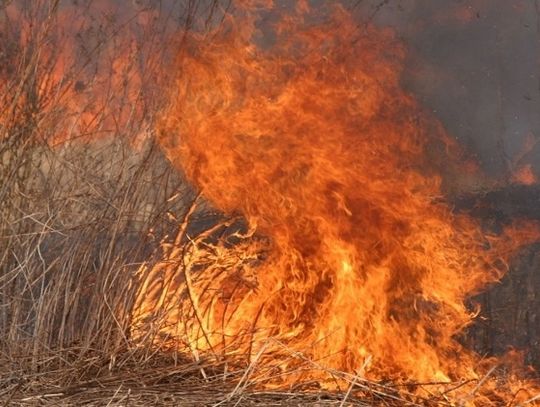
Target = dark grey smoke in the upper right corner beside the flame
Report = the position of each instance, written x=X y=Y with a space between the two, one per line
x=475 y=64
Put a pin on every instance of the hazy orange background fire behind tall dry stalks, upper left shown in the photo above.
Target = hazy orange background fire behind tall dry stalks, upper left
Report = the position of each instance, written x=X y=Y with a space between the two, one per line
x=87 y=78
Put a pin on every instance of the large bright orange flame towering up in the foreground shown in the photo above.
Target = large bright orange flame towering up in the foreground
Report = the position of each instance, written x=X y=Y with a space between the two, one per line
x=351 y=256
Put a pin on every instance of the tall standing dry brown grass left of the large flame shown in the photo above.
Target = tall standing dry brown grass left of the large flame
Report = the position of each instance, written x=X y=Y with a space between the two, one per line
x=76 y=218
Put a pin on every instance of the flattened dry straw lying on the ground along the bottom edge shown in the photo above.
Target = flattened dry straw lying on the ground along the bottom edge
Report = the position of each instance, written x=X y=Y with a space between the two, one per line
x=135 y=378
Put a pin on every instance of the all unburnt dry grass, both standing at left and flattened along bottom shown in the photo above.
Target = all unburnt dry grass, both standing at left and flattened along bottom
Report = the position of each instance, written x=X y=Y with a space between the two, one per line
x=78 y=217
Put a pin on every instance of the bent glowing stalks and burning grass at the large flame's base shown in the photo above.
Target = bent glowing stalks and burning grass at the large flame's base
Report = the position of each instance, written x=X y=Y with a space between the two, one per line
x=174 y=311
